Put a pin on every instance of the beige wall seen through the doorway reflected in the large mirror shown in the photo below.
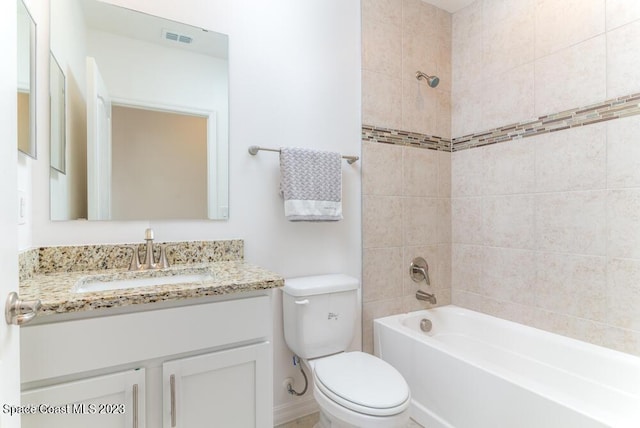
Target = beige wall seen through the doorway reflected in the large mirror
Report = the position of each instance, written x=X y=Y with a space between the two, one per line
x=160 y=165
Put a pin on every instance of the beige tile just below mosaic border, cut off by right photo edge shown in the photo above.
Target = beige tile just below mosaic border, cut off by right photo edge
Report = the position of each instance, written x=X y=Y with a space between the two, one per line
x=623 y=155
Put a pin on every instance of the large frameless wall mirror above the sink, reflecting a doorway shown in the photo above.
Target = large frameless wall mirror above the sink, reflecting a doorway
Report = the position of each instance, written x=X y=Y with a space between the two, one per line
x=146 y=116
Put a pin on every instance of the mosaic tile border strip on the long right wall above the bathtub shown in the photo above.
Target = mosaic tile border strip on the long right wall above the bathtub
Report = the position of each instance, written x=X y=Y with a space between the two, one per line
x=616 y=108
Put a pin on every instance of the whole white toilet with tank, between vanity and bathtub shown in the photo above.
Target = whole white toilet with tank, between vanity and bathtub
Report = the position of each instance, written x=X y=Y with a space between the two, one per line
x=352 y=389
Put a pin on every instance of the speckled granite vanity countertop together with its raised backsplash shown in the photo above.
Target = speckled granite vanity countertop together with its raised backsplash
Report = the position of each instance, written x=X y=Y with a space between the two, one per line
x=57 y=288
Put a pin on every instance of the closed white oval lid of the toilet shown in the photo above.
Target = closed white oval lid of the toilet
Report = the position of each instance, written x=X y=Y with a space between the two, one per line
x=362 y=383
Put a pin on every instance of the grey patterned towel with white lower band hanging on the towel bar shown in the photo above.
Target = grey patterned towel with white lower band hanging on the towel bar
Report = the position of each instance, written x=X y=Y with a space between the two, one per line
x=311 y=184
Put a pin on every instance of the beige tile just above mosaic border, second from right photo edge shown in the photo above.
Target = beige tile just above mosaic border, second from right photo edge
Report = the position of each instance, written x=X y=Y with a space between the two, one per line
x=572 y=77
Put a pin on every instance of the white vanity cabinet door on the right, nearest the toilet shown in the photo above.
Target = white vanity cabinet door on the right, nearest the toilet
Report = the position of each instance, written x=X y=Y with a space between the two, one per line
x=228 y=389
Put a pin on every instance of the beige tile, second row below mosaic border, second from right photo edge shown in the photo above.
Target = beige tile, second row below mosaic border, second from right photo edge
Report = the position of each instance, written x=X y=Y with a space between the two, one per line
x=572 y=222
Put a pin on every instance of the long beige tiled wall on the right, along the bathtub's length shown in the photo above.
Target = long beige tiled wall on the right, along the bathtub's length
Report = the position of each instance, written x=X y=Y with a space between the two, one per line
x=546 y=229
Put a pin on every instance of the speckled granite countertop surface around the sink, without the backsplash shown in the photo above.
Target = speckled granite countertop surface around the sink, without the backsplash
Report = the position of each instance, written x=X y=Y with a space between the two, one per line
x=56 y=290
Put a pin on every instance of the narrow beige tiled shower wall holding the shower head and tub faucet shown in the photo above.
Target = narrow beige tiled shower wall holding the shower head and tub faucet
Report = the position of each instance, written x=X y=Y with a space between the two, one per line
x=406 y=189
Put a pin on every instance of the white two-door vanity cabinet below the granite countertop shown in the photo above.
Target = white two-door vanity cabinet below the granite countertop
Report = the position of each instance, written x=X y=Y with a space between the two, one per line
x=194 y=366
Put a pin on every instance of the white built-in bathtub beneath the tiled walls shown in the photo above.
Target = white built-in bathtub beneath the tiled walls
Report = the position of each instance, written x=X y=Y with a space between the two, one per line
x=473 y=371
